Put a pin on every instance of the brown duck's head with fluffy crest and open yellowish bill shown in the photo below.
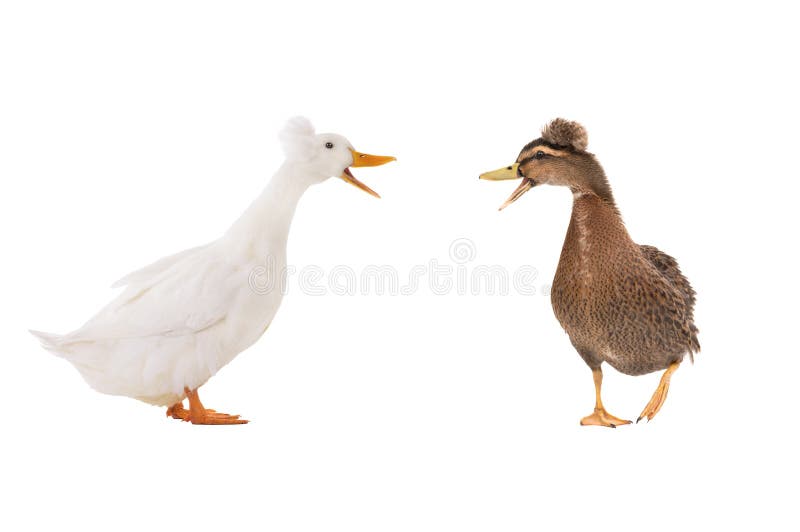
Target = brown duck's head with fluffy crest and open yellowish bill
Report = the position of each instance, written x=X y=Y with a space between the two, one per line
x=558 y=157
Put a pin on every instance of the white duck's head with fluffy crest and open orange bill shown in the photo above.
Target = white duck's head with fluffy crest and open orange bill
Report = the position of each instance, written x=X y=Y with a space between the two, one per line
x=325 y=155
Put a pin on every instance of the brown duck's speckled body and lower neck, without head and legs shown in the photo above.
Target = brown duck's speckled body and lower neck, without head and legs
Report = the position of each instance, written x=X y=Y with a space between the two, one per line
x=619 y=302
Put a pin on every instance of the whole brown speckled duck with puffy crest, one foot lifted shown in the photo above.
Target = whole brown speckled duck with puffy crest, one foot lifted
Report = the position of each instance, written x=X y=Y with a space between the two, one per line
x=620 y=302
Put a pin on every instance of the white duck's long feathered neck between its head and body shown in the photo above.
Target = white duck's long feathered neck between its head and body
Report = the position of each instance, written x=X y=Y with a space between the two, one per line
x=264 y=227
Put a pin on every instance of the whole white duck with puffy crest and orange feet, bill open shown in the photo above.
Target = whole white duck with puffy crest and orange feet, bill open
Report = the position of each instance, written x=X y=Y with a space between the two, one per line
x=185 y=316
